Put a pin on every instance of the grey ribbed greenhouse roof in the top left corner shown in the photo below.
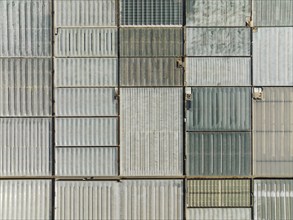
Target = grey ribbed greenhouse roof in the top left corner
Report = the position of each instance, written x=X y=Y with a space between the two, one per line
x=25 y=28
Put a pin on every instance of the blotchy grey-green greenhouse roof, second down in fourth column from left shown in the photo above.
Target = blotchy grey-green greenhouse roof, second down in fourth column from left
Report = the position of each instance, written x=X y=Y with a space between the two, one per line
x=218 y=42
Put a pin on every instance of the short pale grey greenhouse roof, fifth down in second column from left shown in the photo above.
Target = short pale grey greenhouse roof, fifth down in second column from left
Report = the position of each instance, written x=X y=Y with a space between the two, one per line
x=86 y=131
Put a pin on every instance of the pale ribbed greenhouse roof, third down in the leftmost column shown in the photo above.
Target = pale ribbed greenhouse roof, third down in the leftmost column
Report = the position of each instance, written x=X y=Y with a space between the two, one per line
x=25 y=147
